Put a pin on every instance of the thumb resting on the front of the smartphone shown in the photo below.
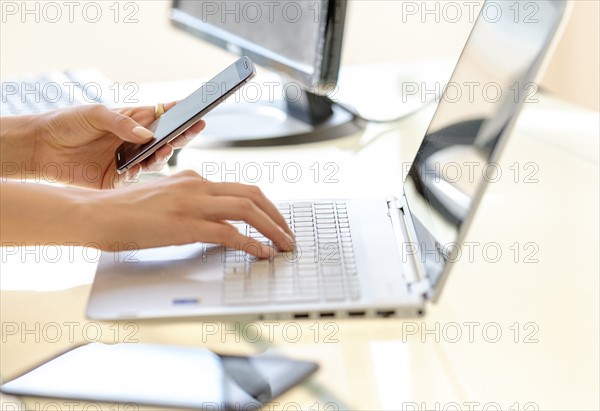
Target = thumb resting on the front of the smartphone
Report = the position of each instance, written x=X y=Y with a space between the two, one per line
x=122 y=126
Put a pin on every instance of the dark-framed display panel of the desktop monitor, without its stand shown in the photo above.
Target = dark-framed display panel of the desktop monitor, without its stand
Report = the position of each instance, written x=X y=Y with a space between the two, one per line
x=302 y=39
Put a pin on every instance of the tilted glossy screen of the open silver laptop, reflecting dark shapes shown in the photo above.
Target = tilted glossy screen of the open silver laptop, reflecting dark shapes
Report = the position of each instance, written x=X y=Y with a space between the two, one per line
x=493 y=78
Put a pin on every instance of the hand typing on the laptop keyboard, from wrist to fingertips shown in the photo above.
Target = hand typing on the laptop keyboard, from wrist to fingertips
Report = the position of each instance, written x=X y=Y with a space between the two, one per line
x=181 y=209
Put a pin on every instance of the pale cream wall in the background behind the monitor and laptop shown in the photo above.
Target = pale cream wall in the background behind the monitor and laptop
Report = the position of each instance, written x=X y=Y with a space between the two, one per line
x=152 y=50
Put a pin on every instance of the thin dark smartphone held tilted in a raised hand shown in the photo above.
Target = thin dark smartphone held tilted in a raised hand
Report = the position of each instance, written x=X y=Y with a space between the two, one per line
x=186 y=113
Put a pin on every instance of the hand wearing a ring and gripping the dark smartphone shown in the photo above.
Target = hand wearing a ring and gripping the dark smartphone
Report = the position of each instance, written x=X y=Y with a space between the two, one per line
x=77 y=145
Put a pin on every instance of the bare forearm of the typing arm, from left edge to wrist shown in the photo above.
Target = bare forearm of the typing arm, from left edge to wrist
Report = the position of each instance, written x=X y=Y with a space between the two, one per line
x=37 y=214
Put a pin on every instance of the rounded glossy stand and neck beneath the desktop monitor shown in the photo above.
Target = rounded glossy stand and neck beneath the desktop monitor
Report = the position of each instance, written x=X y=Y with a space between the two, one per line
x=309 y=118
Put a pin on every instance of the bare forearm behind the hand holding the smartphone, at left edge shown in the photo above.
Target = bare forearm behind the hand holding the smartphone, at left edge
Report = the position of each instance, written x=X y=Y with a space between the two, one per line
x=17 y=145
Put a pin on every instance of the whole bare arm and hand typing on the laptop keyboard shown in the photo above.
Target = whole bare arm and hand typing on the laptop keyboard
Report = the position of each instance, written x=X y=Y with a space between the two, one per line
x=179 y=209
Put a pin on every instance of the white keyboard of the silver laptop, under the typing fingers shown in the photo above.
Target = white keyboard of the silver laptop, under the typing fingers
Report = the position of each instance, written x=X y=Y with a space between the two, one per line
x=322 y=268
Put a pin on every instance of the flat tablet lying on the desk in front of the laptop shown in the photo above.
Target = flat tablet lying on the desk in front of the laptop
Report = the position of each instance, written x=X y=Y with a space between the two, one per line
x=162 y=375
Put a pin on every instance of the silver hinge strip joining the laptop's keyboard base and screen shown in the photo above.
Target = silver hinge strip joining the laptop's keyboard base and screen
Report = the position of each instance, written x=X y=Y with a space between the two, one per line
x=416 y=279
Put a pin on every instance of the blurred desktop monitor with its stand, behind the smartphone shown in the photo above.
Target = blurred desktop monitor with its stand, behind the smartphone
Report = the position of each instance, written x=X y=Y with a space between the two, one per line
x=301 y=41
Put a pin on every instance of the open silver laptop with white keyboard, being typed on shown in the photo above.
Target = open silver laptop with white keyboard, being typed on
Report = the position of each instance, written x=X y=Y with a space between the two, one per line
x=383 y=257
